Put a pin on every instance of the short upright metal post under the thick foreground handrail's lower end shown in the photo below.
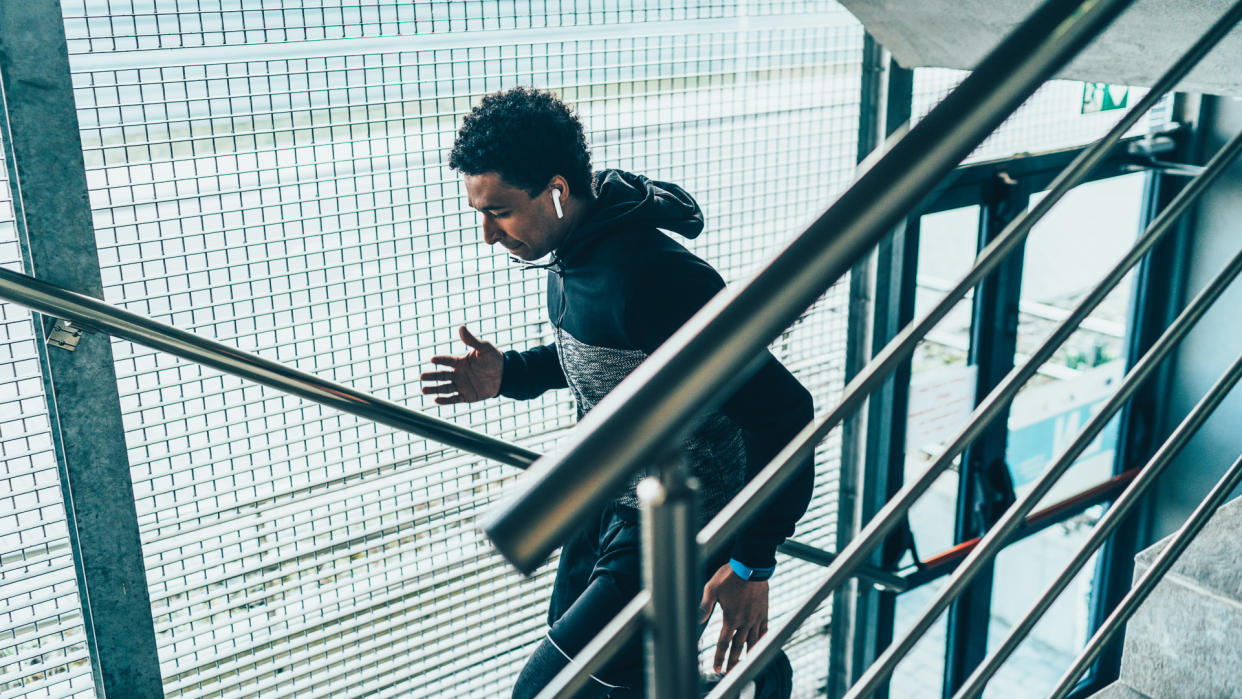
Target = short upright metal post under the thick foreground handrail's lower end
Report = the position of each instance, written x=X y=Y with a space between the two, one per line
x=670 y=573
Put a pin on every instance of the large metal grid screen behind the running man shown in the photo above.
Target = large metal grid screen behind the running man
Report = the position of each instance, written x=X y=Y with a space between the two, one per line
x=273 y=176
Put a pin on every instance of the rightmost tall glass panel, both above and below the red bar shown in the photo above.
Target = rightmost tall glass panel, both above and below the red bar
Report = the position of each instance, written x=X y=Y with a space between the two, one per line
x=1066 y=256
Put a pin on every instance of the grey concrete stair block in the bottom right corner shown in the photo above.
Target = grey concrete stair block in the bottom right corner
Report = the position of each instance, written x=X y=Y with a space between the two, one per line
x=1187 y=640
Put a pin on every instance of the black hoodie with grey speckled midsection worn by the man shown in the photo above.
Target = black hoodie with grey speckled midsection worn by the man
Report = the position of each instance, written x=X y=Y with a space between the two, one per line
x=618 y=289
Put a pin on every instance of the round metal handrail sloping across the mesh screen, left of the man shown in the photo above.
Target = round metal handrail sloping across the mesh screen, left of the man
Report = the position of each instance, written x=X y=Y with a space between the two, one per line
x=95 y=315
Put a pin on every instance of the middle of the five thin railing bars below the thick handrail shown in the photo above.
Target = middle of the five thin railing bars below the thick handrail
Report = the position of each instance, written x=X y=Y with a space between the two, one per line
x=998 y=536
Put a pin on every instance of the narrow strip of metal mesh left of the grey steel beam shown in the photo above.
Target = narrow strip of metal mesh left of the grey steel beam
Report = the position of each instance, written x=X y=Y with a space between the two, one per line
x=43 y=640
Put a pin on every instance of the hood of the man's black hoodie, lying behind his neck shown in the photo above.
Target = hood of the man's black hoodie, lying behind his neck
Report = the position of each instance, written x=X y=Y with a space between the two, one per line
x=627 y=202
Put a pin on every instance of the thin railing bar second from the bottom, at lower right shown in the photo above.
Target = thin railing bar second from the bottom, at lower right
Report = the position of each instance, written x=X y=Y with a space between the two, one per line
x=1112 y=520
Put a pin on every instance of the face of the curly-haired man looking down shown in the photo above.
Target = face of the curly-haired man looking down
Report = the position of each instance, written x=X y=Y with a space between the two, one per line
x=526 y=227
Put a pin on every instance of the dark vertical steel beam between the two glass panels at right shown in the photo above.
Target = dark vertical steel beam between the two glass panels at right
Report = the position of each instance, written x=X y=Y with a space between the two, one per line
x=984 y=486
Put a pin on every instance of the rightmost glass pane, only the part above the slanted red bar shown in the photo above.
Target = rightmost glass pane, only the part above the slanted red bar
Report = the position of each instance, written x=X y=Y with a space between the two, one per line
x=1066 y=256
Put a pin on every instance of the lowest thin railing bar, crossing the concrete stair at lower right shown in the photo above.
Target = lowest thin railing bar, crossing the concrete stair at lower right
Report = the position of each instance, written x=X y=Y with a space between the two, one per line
x=1147 y=584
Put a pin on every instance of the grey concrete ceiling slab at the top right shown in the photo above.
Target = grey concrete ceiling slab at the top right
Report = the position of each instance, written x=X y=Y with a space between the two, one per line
x=1141 y=45
